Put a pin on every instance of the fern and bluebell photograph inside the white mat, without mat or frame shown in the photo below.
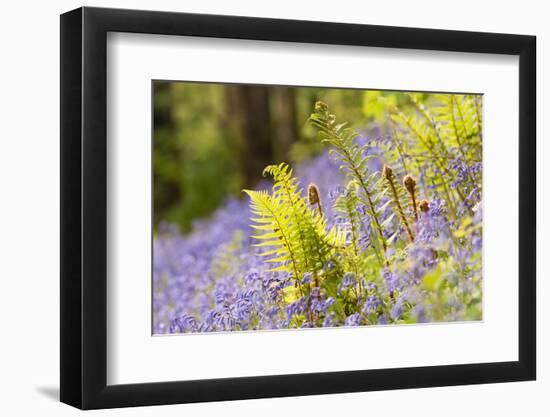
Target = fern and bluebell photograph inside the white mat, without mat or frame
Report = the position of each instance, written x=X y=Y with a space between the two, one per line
x=296 y=207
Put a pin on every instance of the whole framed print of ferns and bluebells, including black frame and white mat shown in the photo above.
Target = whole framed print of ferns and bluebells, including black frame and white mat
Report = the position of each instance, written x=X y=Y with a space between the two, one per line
x=256 y=208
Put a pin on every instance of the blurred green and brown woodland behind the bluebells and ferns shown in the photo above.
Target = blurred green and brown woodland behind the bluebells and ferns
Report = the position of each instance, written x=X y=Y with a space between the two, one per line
x=213 y=140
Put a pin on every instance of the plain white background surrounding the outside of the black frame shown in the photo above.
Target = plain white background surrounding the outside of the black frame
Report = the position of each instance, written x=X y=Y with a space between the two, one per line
x=29 y=207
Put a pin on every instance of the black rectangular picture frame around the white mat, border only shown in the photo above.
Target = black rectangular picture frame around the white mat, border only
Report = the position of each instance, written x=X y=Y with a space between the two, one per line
x=84 y=207
